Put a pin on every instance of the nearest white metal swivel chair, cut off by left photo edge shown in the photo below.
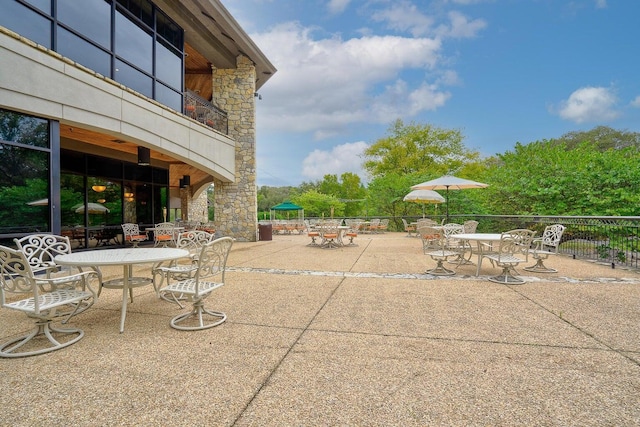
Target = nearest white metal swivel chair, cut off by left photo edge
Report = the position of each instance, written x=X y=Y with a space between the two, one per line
x=48 y=300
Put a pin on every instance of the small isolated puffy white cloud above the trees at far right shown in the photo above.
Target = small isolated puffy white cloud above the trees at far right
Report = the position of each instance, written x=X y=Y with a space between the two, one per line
x=589 y=104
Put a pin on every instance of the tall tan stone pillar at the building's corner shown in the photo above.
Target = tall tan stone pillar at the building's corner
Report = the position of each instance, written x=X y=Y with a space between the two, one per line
x=236 y=204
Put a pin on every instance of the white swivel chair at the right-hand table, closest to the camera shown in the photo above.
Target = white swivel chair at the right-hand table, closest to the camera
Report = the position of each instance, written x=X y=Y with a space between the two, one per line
x=509 y=254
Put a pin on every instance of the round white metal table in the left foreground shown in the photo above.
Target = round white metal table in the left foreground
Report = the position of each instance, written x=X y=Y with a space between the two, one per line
x=126 y=257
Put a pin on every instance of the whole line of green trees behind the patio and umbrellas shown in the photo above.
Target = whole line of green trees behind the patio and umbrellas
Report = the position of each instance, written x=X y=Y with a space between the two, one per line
x=595 y=173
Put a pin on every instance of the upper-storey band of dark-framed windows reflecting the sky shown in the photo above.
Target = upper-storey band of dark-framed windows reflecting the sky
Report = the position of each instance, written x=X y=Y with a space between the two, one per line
x=84 y=34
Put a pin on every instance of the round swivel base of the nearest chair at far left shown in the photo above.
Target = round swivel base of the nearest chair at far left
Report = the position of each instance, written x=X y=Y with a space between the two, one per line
x=43 y=329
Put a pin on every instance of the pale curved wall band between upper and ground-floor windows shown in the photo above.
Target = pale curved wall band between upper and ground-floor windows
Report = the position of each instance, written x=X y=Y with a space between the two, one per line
x=37 y=81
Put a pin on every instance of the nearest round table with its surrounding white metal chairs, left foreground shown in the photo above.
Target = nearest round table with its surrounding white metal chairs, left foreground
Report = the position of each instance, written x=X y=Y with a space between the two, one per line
x=49 y=283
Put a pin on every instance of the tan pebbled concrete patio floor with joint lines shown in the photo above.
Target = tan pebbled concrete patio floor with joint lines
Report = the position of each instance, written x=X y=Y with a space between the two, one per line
x=351 y=336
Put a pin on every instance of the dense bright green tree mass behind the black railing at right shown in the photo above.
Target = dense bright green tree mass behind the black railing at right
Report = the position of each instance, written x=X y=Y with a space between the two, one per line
x=559 y=178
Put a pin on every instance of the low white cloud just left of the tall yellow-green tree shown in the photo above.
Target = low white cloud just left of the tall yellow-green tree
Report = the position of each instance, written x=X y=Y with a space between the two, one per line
x=342 y=158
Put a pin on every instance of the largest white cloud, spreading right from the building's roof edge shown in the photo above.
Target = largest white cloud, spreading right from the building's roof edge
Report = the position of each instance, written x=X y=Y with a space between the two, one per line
x=324 y=85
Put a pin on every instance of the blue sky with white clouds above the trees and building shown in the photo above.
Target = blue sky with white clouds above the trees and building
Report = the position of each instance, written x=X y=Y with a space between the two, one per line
x=501 y=71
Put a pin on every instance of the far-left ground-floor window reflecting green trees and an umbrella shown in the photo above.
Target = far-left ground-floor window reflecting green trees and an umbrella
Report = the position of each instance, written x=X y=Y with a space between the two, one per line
x=24 y=173
